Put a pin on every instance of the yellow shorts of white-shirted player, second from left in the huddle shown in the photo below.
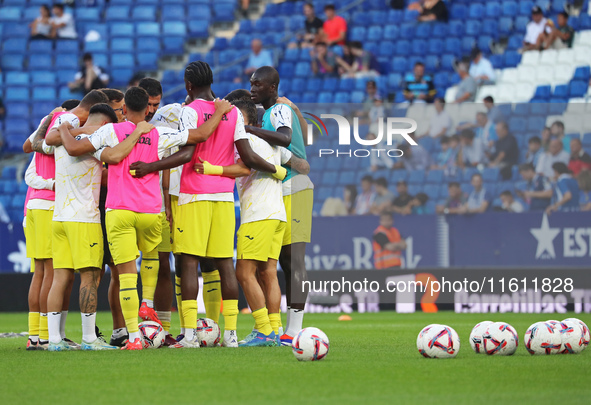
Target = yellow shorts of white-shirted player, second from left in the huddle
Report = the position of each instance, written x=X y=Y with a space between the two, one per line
x=77 y=245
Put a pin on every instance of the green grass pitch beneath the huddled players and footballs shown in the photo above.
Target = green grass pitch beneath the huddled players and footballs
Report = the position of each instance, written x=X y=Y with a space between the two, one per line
x=372 y=359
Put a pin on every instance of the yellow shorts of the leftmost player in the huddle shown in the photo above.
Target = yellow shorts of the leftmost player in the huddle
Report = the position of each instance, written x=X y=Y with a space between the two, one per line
x=38 y=234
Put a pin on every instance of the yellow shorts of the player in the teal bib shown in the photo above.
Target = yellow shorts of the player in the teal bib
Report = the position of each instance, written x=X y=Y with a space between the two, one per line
x=298 y=208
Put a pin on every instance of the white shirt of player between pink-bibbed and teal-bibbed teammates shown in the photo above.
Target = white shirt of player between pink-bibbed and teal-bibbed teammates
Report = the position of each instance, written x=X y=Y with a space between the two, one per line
x=260 y=193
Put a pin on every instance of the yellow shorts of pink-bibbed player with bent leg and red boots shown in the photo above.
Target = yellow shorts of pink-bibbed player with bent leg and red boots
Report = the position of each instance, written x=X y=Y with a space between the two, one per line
x=129 y=231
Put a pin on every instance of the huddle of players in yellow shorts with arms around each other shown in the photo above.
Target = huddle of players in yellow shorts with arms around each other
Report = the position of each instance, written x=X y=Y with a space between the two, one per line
x=115 y=174
